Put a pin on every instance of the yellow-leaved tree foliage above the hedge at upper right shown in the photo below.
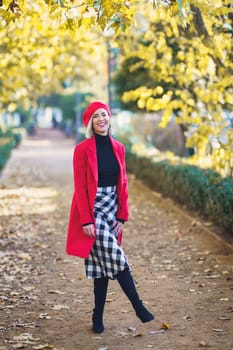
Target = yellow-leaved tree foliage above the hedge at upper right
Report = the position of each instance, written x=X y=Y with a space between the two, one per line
x=189 y=76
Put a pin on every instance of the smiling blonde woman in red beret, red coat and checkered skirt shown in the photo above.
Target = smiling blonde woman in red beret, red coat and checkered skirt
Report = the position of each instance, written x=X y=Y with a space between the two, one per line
x=98 y=211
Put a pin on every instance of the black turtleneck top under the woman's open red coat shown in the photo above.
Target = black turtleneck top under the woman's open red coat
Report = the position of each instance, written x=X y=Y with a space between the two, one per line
x=108 y=167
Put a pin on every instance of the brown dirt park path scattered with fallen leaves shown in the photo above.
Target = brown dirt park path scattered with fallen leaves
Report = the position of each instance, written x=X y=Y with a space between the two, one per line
x=182 y=270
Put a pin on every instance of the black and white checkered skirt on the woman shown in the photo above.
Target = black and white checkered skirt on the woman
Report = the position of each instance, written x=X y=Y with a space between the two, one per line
x=106 y=258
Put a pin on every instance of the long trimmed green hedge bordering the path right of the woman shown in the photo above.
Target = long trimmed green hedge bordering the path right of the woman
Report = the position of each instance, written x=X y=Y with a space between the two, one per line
x=201 y=190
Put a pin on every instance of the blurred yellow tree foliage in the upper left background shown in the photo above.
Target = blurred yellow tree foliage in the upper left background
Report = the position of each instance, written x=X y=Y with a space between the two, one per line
x=38 y=54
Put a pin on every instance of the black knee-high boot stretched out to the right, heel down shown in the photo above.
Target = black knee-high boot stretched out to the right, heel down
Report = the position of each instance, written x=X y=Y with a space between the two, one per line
x=127 y=284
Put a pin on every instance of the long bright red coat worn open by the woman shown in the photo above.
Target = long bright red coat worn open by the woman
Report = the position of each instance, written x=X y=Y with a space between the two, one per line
x=85 y=187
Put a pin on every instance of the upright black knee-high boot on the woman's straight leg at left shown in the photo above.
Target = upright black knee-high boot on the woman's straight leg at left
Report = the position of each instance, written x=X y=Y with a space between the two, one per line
x=100 y=293
